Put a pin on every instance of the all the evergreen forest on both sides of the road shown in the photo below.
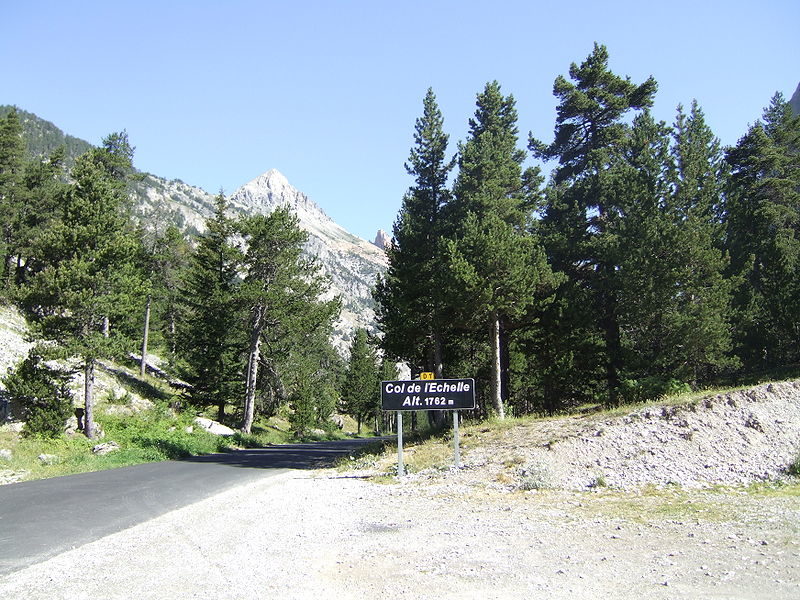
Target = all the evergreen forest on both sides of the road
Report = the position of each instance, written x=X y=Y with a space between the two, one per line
x=651 y=261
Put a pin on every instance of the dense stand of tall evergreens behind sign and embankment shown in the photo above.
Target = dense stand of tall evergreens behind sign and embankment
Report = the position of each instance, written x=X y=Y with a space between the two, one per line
x=651 y=261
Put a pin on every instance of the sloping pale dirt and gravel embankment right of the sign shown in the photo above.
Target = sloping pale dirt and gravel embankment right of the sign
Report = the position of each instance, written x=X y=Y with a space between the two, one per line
x=726 y=439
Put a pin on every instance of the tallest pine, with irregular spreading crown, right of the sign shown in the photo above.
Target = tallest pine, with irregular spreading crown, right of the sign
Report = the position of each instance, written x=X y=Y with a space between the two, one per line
x=590 y=136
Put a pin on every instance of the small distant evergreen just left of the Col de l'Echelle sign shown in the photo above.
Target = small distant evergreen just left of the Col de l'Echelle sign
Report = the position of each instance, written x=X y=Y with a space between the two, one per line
x=361 y=384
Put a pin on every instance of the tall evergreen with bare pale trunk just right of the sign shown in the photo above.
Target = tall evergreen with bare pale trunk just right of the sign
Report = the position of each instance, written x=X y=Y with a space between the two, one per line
x=499 y=274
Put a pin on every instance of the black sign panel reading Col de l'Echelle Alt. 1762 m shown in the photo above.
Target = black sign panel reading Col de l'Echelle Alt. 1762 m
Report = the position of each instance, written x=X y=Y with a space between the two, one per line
x=435 y=394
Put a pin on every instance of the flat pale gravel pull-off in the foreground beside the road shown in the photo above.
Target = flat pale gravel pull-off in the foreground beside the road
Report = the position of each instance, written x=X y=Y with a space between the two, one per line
x=329 y=535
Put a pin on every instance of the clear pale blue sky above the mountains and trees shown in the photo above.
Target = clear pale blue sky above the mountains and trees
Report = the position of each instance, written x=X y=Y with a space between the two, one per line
x=216 y=93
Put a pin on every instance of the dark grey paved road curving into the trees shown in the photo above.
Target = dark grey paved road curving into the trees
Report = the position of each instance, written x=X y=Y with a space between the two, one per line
x=40 y=519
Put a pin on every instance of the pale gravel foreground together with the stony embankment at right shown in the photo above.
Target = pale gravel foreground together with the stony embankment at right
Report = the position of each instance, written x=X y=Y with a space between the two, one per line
x=486 y=531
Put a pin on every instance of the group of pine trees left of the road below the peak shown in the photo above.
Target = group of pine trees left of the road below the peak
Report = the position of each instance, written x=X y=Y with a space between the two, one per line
x=237 y=312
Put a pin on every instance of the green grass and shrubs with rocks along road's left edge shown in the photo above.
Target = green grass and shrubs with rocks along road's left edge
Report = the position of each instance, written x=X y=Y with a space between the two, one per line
x=144 y=421
